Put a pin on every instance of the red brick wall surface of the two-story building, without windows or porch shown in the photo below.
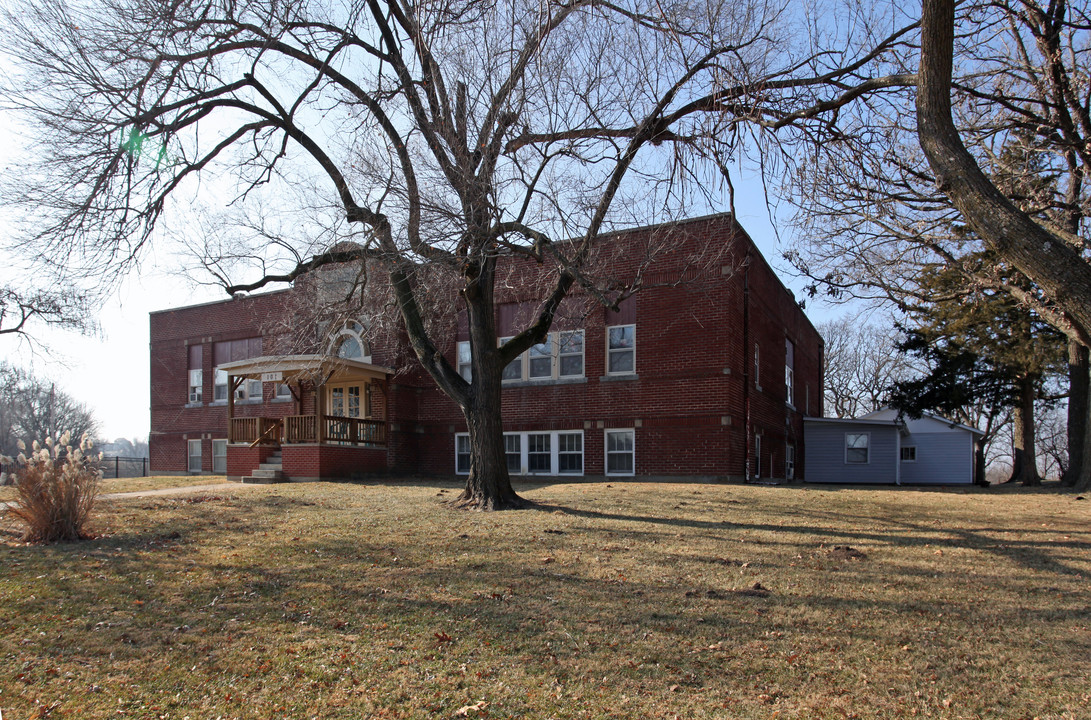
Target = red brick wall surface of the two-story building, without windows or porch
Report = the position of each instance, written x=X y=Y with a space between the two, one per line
x=693 y=402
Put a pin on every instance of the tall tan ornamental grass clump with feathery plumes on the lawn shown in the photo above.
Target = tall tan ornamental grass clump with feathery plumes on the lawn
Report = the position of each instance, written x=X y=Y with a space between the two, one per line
x=55 y=489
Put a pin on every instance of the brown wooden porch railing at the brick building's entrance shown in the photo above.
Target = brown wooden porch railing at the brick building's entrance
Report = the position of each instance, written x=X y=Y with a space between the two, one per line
x=304 y=429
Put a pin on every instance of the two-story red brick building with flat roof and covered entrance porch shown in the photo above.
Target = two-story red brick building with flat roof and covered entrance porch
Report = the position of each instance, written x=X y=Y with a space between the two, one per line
x=706 y=373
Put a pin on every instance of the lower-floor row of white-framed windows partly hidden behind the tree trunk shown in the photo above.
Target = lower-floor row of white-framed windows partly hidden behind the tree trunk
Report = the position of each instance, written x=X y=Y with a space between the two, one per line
x=532 y=453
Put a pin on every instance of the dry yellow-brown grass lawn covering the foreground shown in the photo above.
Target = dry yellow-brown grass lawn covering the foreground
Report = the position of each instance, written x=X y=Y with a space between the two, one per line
x=618 y=601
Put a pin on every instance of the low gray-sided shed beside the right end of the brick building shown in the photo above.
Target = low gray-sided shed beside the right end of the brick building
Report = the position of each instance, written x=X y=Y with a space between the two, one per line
x=884 y=448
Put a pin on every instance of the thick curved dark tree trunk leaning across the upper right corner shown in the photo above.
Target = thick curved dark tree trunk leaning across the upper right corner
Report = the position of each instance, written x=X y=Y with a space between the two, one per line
x=1042 y=257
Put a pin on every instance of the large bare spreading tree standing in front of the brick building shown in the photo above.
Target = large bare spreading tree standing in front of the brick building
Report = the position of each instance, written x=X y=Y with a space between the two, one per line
x=449 y=136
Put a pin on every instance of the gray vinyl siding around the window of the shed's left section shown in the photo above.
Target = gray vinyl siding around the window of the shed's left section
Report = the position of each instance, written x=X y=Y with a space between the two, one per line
x=824 y=453
